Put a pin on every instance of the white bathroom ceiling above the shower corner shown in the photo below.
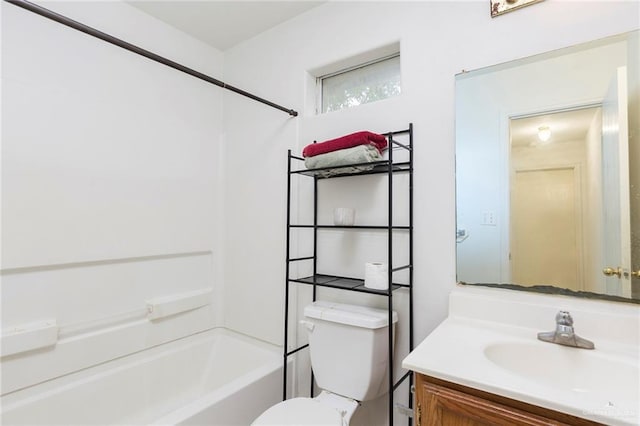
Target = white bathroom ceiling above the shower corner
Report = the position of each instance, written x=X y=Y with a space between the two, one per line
x=223 y=24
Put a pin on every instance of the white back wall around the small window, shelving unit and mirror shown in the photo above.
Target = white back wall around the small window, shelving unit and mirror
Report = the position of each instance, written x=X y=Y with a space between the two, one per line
x=438 y=40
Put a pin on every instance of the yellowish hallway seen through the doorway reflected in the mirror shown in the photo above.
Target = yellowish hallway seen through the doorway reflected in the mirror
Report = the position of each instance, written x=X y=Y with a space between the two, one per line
x=556 y=199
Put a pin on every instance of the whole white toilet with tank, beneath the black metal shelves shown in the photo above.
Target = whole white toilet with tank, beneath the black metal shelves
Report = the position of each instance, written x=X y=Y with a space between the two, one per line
x=349 y=357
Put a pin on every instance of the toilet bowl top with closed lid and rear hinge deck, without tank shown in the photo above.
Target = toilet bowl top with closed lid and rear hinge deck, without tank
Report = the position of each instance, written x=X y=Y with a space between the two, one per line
x=327 y=409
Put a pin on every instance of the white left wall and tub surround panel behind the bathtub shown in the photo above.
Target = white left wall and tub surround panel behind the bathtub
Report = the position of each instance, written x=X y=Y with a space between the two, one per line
x=110 y=185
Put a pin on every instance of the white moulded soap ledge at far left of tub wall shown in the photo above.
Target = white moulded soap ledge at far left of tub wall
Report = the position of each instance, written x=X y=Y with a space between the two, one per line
x=27 y=337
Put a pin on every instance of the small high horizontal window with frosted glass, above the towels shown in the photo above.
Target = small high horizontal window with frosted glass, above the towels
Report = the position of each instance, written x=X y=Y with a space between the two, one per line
x=358 y=85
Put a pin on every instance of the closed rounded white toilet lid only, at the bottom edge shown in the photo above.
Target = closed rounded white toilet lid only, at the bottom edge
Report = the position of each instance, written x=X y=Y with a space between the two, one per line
x=299 y=411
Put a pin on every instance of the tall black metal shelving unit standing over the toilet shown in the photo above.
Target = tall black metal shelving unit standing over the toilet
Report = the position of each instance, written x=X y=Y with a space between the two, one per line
x=388 y=168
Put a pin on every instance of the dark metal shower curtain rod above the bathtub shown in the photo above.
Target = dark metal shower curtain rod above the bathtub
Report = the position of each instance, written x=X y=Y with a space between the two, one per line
x=135 y=49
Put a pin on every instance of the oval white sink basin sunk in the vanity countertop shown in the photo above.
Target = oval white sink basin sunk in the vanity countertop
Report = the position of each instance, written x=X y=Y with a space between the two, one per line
x=567 y=368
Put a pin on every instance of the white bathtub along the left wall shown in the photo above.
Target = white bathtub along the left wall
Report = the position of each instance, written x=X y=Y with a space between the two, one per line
x=217 y=377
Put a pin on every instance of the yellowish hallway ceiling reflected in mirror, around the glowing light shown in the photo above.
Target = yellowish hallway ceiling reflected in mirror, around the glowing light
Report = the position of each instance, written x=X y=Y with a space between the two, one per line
x=565 y=126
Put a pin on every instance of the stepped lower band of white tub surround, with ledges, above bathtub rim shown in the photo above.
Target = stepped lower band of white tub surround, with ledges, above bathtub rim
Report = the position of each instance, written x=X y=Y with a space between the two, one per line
x=40 y=352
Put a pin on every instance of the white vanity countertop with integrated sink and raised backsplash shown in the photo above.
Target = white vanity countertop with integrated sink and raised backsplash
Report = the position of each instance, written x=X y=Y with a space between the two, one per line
x=489 y=342
